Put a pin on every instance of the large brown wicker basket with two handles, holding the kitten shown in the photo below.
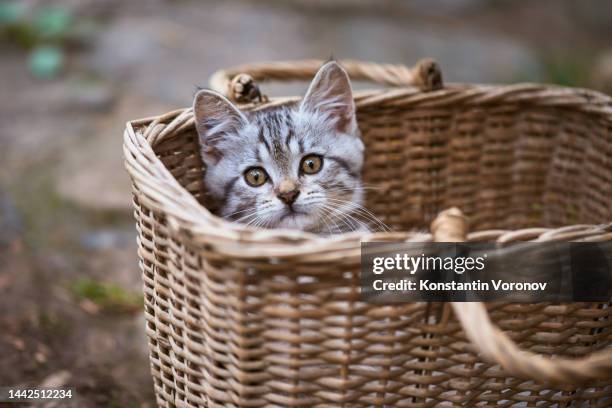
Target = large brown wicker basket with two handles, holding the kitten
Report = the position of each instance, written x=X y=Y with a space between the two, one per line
x=246 y=317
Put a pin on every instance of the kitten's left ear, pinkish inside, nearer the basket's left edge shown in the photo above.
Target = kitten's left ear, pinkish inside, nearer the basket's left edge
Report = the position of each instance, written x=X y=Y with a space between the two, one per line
x=216 y=118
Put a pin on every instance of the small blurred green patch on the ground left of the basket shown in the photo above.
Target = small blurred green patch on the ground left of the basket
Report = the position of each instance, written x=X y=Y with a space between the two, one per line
x=108 y=296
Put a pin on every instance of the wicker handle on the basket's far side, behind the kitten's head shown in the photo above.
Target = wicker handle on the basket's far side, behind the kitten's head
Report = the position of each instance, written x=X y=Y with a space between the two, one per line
x=239 y=83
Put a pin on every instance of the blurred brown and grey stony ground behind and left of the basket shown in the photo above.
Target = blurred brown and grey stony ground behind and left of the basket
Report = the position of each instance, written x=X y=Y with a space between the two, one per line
x=73 y=72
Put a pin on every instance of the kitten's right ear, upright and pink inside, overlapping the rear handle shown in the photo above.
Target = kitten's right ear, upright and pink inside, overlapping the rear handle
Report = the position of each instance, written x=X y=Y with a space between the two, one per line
x=330 y=94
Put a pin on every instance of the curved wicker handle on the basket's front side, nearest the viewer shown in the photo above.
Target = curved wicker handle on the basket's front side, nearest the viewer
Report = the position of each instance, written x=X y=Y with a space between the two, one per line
x=497 y=347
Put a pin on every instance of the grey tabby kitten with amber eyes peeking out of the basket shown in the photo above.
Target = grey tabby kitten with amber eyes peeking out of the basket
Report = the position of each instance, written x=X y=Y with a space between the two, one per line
x=295 y=166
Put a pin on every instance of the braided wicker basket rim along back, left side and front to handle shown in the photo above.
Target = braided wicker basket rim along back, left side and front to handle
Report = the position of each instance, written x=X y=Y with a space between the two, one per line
x=197 y=225
